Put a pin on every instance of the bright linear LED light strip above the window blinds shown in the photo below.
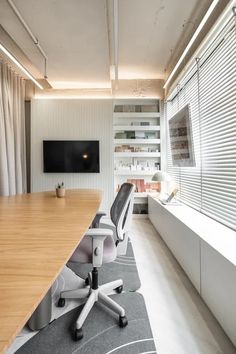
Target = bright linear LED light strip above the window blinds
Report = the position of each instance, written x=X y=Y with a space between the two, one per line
x=196 y=33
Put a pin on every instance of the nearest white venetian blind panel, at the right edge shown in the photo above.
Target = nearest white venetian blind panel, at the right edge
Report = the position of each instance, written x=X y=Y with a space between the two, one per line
x=218 y=126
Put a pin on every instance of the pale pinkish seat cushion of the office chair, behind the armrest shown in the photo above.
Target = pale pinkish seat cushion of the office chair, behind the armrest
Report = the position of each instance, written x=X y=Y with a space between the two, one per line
x=83 y=253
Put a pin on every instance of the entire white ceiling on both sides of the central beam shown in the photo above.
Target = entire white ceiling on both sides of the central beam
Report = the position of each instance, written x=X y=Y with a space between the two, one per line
x=75 y=36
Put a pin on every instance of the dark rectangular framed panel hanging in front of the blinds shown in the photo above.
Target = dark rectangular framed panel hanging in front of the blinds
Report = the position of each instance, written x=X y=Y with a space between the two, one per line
x=181 y=140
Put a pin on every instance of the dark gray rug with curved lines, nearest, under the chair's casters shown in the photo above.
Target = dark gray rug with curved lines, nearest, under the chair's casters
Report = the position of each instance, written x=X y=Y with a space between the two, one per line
x=102 y=335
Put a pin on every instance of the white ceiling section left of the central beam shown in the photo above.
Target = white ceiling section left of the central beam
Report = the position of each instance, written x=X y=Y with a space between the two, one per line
x=74 y=36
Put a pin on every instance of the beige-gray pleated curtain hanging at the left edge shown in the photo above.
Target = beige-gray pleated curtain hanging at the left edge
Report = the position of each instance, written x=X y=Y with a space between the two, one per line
x=12 y=132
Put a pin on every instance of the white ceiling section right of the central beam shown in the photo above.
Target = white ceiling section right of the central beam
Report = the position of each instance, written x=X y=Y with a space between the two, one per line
x=149 y=32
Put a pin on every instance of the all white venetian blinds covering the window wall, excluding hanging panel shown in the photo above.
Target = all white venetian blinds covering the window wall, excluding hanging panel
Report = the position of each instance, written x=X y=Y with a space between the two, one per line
x=210 y=89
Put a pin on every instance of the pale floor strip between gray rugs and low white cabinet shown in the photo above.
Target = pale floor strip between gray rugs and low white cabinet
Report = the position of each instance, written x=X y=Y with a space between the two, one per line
x=180 y=321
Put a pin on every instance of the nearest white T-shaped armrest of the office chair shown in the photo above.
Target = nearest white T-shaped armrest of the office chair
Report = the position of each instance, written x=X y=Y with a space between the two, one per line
x=98 y=237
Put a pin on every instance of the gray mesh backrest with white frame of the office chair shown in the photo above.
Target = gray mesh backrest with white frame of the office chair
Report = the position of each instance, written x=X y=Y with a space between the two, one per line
x=122 y=208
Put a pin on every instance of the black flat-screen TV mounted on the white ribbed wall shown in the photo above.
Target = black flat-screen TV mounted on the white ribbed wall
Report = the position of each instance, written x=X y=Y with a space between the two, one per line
x=71 y=156
